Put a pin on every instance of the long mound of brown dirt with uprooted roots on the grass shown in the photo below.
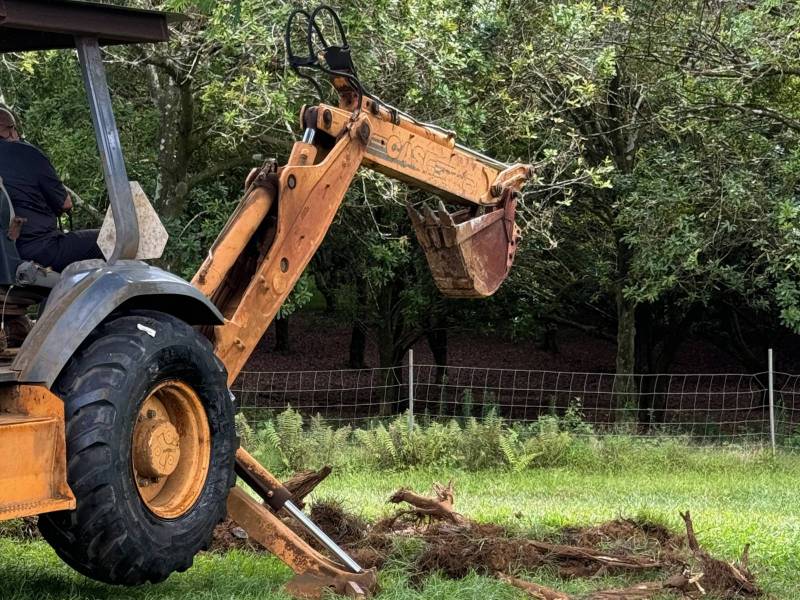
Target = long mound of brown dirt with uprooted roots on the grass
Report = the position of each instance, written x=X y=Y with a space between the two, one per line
x=454 y=546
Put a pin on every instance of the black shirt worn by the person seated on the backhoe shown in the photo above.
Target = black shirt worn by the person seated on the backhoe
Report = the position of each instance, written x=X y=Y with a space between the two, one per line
x=35 y=190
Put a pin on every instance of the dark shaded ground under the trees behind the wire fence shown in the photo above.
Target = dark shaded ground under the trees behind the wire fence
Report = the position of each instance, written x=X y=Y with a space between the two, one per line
x=518 y=380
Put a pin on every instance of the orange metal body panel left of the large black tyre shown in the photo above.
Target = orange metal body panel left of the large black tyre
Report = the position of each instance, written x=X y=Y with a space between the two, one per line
x=33 y=472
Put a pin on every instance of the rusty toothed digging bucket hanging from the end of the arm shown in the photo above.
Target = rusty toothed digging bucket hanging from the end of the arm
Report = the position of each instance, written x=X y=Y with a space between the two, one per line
x=469 y=255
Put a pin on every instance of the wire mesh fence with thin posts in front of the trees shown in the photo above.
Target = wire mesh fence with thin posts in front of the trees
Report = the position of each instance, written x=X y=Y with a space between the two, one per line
x=707 y=408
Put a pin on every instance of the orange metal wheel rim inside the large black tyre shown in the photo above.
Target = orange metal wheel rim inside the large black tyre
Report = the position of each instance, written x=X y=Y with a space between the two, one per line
x=171 y=449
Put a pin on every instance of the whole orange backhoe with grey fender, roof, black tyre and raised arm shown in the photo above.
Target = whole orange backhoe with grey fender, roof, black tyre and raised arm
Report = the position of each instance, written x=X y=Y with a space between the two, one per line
x=116 y=419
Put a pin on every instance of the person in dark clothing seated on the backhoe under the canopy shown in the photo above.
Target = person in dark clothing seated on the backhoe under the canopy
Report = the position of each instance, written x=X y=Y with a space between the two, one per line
x=40 y=198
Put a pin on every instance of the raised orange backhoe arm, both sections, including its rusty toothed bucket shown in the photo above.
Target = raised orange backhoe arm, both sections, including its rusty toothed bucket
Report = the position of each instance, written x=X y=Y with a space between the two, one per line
x=285 y=213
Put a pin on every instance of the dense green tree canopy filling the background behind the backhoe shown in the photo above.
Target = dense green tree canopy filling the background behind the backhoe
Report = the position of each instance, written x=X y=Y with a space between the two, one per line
x=664 y=136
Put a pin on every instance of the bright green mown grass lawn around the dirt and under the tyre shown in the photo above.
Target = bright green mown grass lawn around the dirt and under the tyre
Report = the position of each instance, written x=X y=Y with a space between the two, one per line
x=736 y=498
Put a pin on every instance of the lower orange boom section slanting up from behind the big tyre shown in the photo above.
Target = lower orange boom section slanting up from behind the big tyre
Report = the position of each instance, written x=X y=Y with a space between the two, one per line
x=303 y=216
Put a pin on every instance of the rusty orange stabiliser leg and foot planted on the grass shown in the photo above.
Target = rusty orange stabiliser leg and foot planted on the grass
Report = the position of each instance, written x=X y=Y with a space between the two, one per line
x=316 y=574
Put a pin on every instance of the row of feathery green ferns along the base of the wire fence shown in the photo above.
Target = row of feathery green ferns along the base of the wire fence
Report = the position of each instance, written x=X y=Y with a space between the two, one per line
x=289 y=443
